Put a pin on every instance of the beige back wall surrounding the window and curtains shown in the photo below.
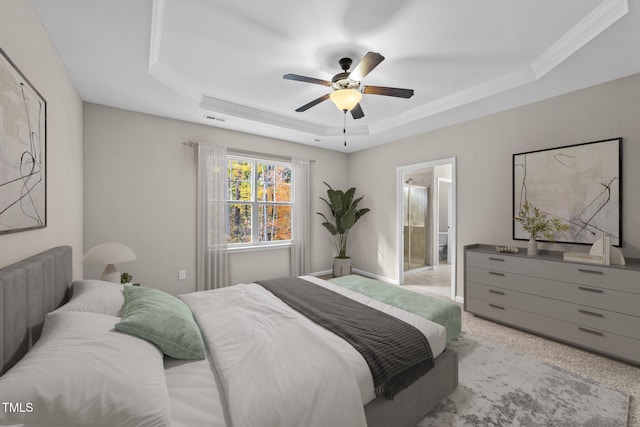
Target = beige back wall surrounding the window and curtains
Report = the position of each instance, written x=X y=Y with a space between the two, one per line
x=140 y=189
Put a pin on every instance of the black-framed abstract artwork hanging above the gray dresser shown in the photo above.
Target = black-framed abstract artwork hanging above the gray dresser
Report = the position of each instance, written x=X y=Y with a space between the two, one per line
x=578 y=184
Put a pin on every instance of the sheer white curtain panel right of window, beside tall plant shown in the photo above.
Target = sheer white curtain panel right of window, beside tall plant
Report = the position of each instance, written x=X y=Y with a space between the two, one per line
x=300 y=217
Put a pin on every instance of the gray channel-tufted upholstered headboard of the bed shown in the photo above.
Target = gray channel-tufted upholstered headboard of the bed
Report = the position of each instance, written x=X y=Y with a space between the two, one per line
x=29 y=289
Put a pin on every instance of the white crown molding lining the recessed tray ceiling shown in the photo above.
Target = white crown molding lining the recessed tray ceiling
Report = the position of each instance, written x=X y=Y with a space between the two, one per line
x=597 y=21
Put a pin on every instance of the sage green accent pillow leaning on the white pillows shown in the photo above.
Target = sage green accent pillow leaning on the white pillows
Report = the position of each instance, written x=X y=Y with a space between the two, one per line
x=164 y=320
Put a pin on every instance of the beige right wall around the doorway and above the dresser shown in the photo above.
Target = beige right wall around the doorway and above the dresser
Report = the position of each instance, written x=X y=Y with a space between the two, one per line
x=483 y=149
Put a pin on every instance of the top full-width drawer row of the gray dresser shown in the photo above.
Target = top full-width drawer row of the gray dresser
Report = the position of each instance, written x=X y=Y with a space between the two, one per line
x=614 y=278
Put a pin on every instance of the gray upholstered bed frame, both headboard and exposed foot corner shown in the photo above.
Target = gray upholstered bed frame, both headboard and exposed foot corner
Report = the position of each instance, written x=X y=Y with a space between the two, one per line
x=31 y=288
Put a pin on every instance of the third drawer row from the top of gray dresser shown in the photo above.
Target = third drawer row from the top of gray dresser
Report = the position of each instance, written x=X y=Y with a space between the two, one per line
x=604 y=320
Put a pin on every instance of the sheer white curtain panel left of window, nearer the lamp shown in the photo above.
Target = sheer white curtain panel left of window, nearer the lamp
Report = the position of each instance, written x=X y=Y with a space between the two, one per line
x=212 y=225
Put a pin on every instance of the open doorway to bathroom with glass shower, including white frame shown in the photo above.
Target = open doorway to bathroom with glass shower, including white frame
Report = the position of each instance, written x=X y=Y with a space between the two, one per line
x=426 y=225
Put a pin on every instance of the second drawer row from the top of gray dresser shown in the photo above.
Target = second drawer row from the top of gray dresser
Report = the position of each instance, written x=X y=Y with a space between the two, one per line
x=588 y=295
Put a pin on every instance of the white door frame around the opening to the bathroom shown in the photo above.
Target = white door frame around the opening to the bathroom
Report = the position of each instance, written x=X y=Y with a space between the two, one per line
x=452 y=248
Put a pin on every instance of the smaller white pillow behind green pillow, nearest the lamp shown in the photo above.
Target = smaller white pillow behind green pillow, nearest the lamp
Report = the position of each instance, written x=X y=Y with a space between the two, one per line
x=95 y=296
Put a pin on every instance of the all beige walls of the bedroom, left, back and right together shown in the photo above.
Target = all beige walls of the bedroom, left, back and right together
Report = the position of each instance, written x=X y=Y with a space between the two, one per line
x=139 y=180
